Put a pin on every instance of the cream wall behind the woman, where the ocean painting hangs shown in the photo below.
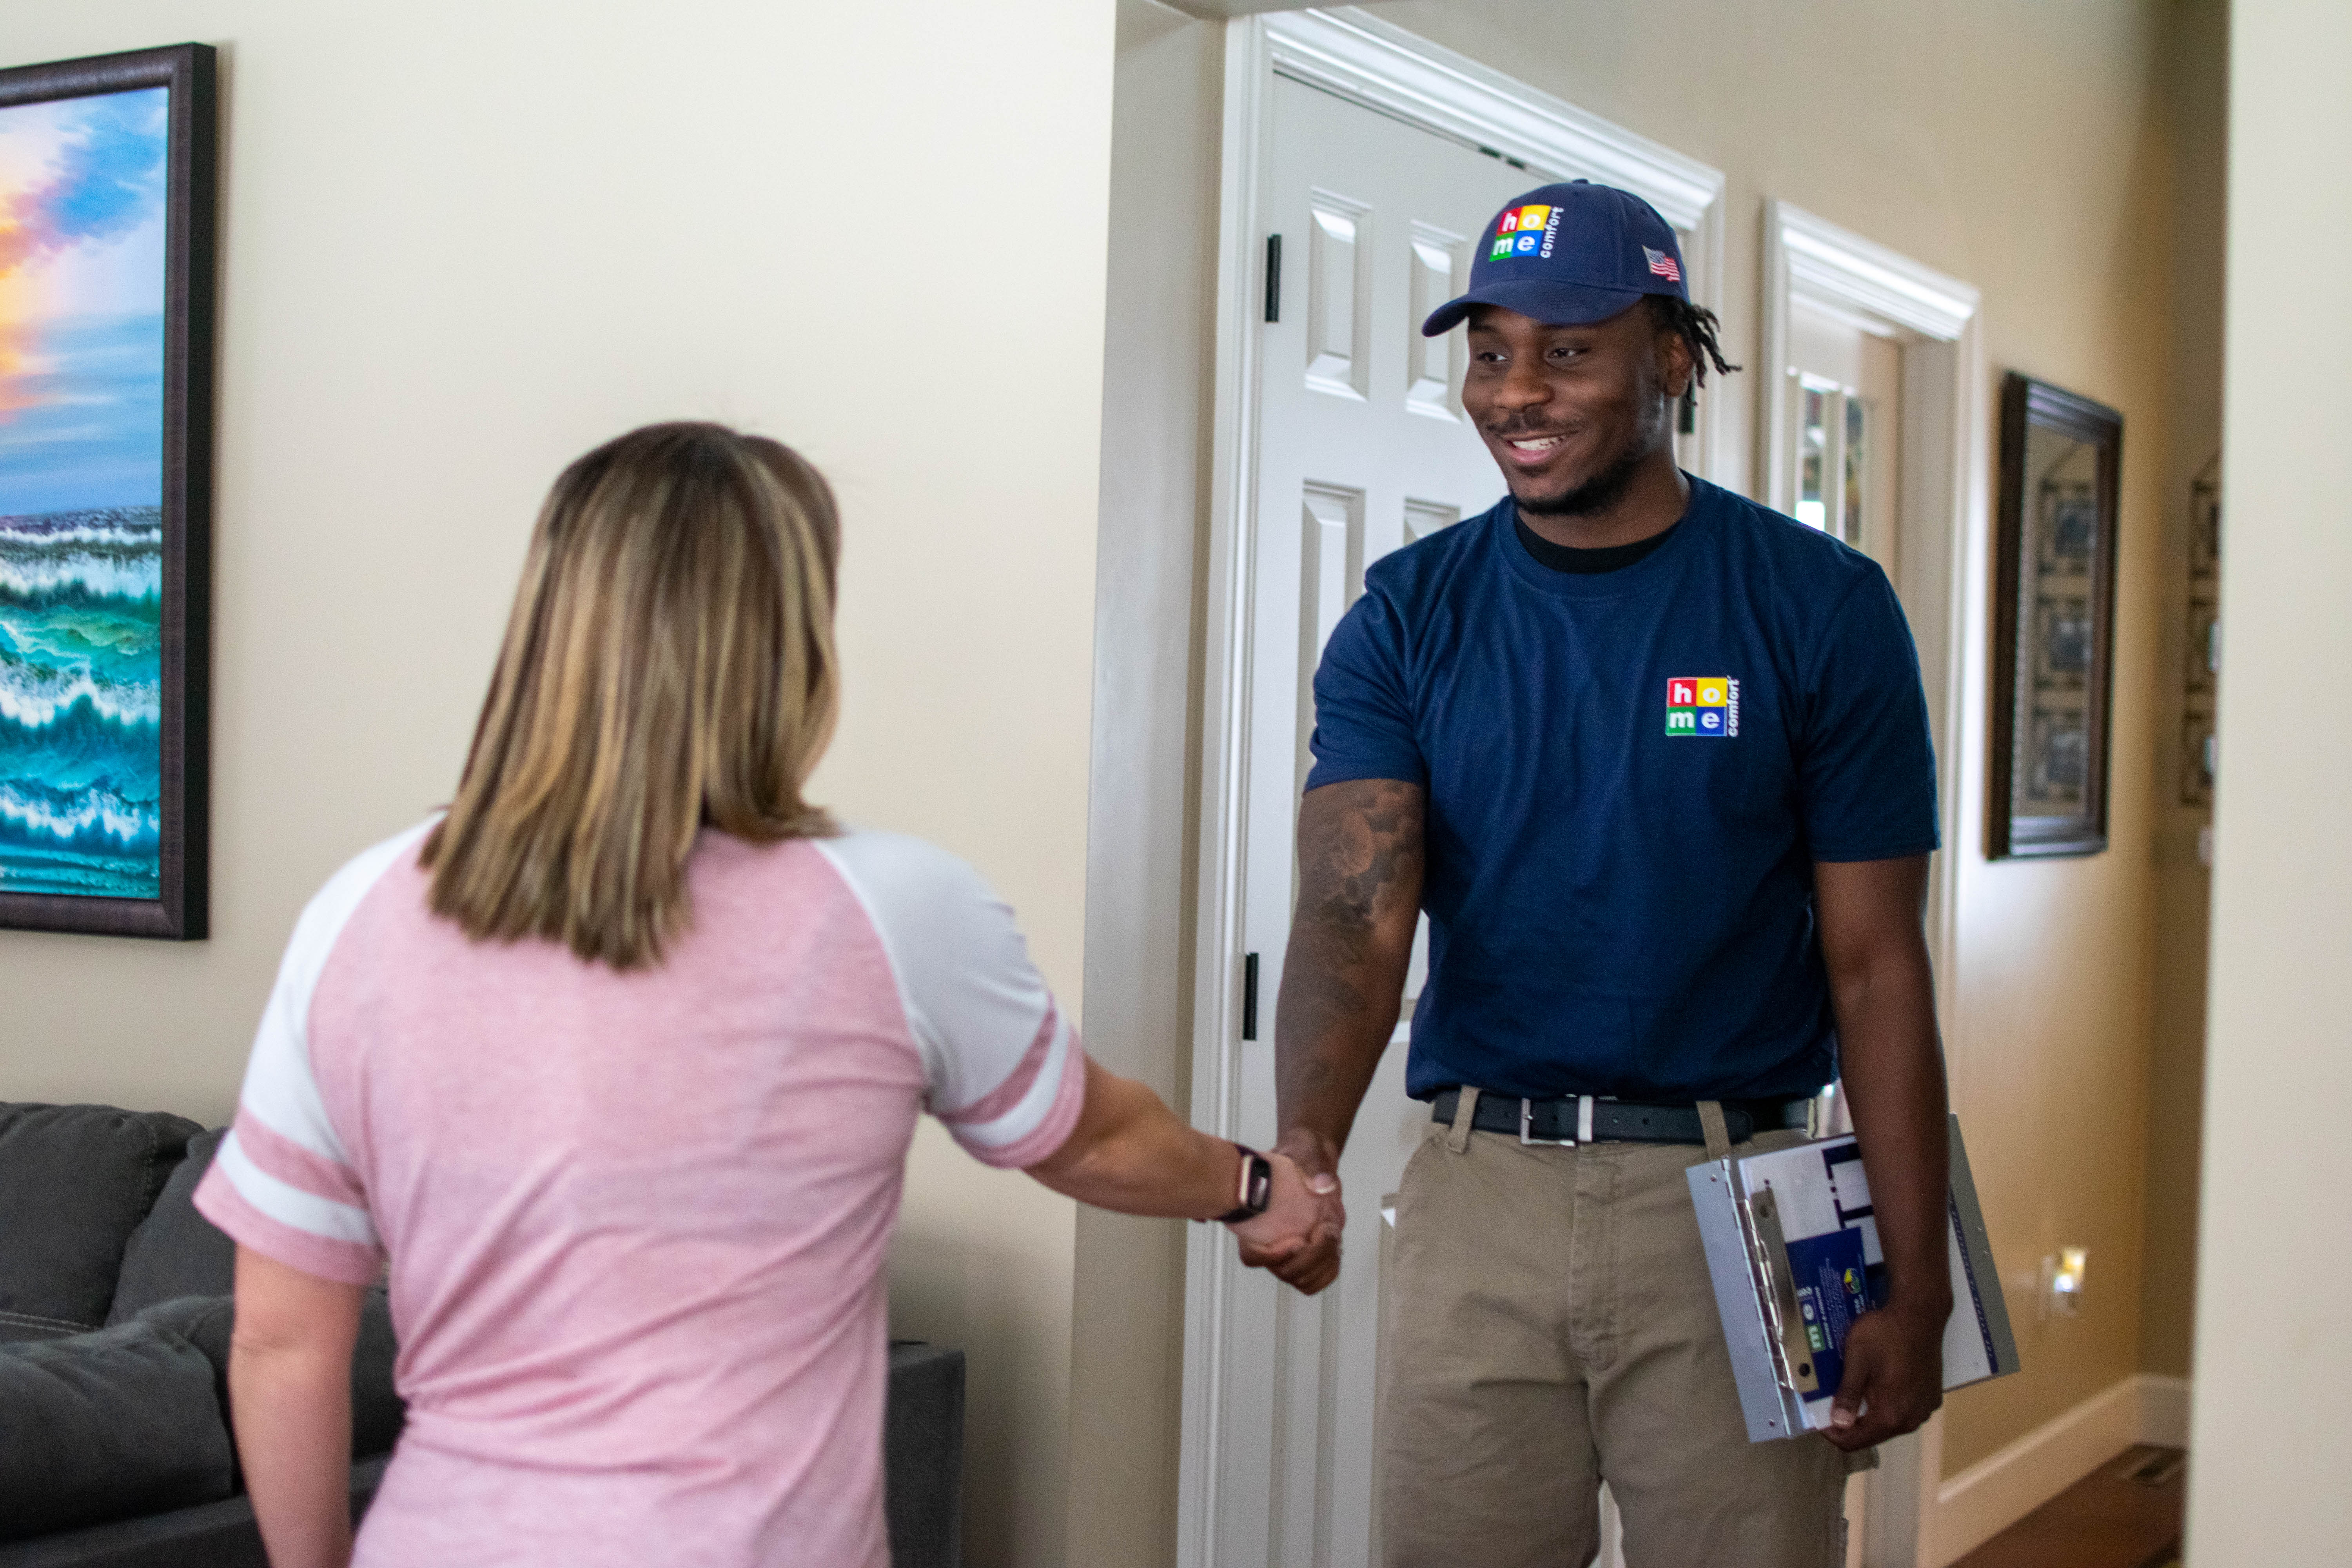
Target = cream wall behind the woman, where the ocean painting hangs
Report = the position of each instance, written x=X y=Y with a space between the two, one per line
x=462 y=243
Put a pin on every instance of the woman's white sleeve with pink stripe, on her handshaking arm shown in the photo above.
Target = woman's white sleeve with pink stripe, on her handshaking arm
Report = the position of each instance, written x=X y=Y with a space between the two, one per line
x=1003 y=1066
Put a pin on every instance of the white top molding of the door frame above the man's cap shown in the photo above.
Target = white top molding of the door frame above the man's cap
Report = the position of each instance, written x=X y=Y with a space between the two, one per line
x=1375 y=62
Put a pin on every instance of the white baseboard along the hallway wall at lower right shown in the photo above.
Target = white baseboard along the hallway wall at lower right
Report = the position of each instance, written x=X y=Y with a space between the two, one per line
x=2010 y=1485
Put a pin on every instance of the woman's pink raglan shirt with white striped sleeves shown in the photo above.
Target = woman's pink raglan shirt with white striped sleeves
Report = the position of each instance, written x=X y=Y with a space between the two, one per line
x=639 y=1224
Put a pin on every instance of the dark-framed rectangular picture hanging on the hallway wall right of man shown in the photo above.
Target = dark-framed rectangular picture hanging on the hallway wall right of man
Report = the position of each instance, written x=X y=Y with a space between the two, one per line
x=2054 y=622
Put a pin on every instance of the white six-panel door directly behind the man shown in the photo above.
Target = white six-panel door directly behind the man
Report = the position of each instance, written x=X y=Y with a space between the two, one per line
x=1363 y=448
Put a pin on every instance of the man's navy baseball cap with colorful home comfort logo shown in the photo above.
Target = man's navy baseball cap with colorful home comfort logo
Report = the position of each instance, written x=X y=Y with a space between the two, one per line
x=1570 y=255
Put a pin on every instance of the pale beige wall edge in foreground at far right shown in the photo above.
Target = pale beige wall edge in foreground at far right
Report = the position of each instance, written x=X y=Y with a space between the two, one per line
x=2273 y=1355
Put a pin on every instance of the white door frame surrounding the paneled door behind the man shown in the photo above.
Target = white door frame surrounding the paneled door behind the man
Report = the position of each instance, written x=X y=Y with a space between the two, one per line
x=1377 y=65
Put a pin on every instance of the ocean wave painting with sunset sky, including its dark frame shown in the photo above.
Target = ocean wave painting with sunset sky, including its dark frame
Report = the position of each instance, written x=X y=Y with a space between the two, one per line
x=107 y=253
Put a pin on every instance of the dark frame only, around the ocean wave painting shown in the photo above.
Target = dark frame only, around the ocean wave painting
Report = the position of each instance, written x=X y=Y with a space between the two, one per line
x=192 y=177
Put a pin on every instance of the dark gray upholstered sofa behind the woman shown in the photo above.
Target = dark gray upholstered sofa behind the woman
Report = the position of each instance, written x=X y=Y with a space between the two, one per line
x=114 y=1365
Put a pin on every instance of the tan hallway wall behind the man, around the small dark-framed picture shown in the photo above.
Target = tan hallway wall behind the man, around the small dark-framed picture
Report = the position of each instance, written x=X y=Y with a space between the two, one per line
x=2024 y=149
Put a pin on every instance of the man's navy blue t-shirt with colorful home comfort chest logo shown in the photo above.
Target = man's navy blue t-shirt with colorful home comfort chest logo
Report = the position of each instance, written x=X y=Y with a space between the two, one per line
x=1631 y=777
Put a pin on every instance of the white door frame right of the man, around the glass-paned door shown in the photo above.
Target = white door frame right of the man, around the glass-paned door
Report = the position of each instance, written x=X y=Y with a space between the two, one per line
x=1939 y=532
